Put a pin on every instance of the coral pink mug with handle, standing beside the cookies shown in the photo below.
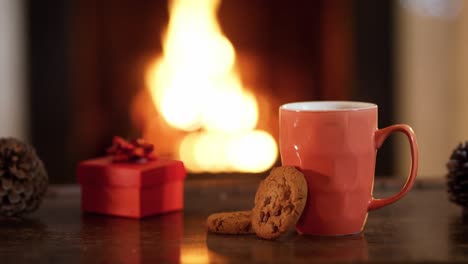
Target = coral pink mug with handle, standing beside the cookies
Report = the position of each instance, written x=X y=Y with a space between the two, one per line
x=334 y=143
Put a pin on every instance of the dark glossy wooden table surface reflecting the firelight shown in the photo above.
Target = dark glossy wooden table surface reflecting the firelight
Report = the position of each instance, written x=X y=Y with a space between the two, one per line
x=422 y=227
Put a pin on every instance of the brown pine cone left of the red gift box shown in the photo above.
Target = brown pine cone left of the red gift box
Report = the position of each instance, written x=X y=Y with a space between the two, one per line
x=23 y=178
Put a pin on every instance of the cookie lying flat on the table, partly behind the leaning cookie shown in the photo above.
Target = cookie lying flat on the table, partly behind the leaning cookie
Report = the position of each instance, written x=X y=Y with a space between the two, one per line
x=234 y=223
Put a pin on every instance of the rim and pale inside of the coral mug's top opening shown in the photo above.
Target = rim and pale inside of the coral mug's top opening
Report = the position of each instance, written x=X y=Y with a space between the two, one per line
x=327 y=106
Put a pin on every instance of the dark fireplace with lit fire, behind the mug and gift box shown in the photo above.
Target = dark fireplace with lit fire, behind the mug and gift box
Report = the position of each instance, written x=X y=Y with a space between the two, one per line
x=120 y=58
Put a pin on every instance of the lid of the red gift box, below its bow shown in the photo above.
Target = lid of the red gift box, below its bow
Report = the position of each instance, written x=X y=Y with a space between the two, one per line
x=104 y=172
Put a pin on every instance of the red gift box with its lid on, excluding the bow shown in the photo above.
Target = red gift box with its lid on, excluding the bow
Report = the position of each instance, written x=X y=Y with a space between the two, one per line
x=131 y=189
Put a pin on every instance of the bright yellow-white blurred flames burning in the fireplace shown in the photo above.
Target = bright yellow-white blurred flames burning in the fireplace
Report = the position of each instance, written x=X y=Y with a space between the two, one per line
x=195 y=87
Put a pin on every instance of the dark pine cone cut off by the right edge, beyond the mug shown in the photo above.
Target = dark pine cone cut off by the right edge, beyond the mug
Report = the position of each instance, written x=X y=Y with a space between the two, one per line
x=457 y=178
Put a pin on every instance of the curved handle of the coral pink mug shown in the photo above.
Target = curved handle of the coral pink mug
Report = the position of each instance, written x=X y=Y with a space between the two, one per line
x=379 y=137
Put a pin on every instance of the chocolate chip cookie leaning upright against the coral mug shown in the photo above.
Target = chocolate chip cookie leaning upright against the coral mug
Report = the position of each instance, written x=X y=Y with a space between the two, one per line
x=279 y=202
